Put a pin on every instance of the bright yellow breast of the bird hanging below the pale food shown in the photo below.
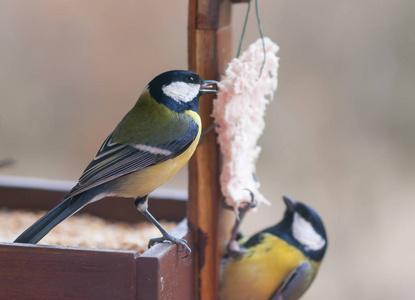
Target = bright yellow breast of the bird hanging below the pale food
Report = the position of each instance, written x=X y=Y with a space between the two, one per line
x=258 y=274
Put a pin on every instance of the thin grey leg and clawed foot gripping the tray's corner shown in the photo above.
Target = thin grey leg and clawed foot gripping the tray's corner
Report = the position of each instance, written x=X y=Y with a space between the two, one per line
x=142 y=203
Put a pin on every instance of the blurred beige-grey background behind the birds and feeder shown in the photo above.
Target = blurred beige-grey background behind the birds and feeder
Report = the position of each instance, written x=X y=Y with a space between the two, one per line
x=340 y=132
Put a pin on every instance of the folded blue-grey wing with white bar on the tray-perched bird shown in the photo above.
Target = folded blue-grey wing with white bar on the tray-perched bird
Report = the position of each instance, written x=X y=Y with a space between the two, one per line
x=117 y=158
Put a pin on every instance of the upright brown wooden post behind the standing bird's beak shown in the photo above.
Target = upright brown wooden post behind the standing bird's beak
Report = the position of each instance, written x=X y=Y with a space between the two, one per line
x=209 y=51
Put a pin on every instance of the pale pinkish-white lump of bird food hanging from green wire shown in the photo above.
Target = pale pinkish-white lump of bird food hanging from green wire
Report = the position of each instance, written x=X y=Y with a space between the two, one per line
x=239 y=113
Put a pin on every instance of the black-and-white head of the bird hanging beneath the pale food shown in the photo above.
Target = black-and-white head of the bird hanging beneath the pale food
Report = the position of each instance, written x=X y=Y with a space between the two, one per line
x=305 y=228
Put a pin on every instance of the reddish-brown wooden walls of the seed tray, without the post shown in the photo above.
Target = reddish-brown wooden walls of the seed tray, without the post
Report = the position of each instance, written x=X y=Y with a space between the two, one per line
x=30 y=271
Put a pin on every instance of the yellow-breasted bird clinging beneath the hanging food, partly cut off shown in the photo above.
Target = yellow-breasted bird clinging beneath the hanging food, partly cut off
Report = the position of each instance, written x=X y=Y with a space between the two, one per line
x=277 y=263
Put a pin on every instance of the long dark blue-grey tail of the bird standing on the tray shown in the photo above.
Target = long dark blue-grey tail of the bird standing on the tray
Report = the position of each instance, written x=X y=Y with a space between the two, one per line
x=62 y=211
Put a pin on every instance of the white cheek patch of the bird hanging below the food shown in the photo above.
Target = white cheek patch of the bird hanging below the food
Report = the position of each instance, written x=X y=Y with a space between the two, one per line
x=305 y=234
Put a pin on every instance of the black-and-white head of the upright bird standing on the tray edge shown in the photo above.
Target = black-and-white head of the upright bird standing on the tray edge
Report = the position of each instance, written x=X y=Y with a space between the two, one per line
x=179 y=90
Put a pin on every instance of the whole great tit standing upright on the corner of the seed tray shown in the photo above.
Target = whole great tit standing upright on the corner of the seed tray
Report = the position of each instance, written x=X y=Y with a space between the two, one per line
x=150 y=144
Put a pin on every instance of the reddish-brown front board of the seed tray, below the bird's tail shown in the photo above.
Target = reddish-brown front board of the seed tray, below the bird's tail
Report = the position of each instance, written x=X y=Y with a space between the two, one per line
x=50 y=272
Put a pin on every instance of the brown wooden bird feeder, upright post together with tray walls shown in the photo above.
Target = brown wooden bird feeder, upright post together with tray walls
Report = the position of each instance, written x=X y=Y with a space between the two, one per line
x=51 y=272
